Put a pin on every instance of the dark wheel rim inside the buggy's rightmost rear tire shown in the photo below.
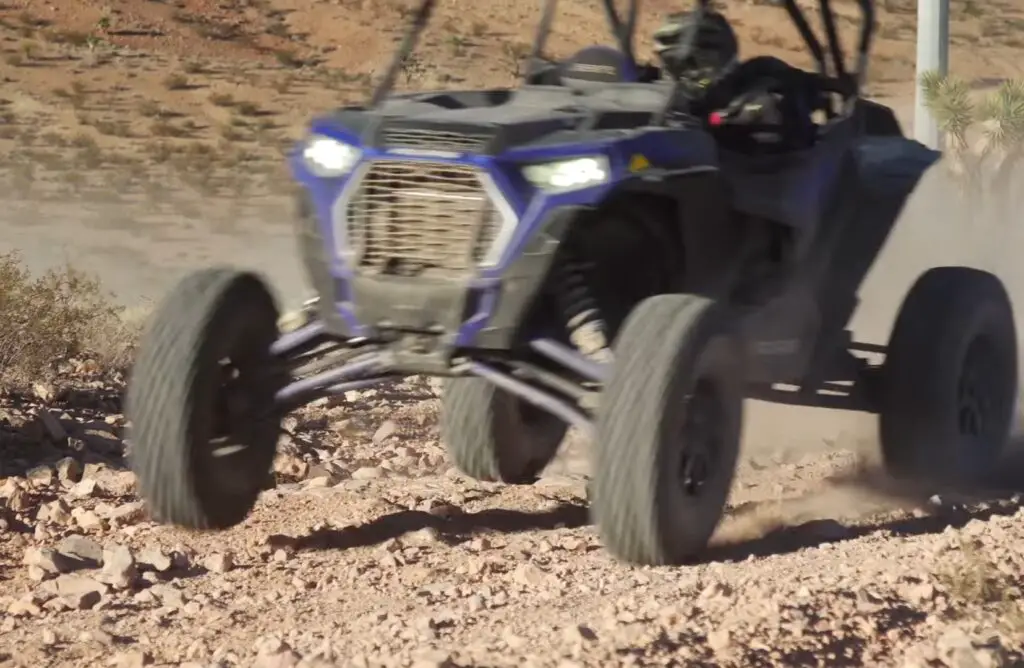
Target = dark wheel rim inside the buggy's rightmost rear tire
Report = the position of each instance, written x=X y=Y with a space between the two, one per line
x=979 y=397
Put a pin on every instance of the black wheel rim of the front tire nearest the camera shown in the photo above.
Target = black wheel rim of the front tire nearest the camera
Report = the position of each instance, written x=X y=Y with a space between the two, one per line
x=702 y=438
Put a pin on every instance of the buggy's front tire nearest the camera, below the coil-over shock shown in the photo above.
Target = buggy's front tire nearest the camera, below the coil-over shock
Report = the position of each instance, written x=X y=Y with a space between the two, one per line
x=668 y=431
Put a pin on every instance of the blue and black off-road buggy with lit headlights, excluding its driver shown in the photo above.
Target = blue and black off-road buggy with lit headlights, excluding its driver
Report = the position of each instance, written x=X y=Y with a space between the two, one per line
x=583 y=250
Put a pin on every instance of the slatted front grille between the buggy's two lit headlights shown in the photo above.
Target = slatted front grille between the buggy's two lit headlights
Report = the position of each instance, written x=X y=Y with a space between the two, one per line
x=417 y=219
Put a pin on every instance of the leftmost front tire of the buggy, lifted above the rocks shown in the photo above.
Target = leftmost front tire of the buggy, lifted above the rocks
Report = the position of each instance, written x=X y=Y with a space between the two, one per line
x=204 y=433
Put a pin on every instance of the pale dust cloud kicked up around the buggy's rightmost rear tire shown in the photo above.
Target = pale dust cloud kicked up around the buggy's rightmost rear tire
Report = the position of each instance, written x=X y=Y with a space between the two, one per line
x=937 y=228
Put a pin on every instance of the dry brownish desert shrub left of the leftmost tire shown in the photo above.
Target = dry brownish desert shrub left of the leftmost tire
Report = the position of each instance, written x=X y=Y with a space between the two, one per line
x=50 y=320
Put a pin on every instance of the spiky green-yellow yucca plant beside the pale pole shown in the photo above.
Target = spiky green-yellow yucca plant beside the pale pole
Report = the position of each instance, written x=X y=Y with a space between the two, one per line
x=984 y=140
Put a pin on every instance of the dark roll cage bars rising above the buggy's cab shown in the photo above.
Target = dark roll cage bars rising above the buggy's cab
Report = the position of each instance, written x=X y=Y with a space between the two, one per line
x=835 y=75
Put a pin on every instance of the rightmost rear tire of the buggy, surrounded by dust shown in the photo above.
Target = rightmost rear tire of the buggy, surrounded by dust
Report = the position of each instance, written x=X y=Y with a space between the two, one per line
x=950 y=381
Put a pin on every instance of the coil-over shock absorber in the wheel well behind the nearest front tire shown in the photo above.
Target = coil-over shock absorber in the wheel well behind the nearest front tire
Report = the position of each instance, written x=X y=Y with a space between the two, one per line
x=587 y=329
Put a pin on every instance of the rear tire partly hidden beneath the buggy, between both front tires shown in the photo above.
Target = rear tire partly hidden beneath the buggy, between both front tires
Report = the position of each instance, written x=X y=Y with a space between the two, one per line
x=493 y=436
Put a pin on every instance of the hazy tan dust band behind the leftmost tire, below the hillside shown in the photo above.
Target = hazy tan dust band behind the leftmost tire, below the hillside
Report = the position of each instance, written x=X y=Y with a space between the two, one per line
x=140 y=253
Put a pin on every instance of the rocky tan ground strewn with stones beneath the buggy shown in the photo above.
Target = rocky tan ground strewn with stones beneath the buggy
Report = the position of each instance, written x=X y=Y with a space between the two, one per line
x=372 y=552
